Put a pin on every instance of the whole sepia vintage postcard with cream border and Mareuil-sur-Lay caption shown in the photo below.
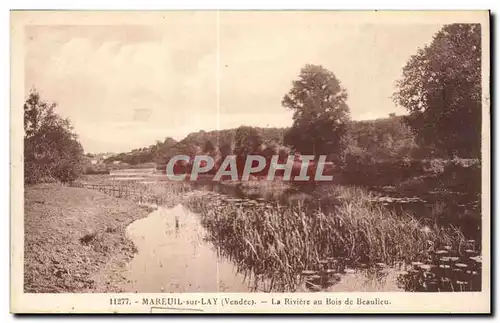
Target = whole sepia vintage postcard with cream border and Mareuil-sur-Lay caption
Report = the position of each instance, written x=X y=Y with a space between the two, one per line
x=250 y=162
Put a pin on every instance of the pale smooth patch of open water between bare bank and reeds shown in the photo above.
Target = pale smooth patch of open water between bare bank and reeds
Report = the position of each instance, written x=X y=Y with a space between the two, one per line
x=176 y=258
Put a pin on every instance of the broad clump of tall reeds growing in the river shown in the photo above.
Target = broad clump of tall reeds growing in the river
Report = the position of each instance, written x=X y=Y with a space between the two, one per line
x=276 y=244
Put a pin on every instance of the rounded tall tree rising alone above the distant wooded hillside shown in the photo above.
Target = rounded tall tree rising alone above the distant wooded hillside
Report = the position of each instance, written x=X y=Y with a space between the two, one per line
x=320 y=112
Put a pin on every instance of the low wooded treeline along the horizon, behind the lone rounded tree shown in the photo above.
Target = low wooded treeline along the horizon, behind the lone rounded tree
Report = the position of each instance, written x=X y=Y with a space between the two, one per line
x=370 y=141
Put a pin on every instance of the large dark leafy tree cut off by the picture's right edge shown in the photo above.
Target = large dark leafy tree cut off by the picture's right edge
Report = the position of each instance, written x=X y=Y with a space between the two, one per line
x=441 y=89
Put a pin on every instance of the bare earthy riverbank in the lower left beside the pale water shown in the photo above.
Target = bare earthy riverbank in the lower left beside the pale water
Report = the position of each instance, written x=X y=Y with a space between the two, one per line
x=75 y=239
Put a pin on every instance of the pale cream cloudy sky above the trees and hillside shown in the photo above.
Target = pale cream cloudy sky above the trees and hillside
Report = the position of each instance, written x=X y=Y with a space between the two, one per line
x=126 y=86
